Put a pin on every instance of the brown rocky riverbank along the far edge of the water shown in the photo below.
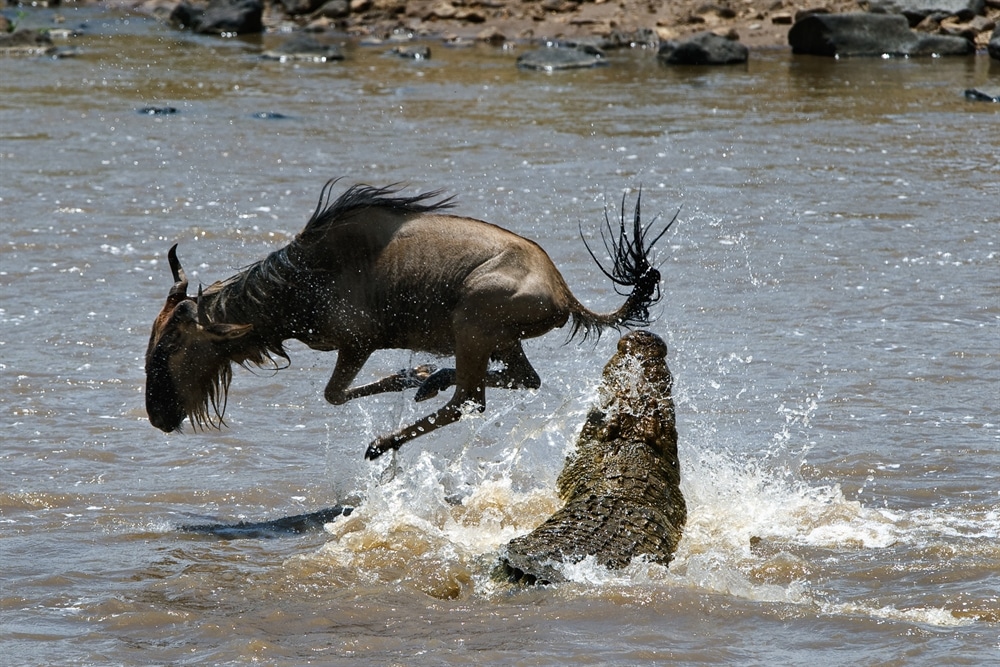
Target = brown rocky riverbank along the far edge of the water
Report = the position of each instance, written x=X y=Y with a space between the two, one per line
x=755 y=23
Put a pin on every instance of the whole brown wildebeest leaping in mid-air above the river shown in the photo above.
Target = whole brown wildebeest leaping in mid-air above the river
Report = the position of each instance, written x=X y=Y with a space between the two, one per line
x=375 y=270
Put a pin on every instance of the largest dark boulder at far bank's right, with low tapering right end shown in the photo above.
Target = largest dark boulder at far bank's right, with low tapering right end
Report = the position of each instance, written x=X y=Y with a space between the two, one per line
x=861 y=34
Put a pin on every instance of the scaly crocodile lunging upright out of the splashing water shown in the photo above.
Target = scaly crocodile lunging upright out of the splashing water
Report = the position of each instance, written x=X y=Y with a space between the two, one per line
x=622 y=484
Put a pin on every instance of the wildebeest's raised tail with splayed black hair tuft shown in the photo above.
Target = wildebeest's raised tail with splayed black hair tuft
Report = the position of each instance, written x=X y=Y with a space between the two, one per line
x=631 y=272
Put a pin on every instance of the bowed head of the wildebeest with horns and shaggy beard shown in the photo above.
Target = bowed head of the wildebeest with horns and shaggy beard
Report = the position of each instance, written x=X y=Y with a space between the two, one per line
x=188 y=360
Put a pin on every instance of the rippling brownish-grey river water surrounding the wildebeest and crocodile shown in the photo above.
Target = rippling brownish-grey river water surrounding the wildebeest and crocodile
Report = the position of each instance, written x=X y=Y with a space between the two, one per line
x=831 y=300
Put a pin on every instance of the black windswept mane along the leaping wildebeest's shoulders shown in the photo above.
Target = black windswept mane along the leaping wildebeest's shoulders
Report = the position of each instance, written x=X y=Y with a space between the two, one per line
x=359 y=197
